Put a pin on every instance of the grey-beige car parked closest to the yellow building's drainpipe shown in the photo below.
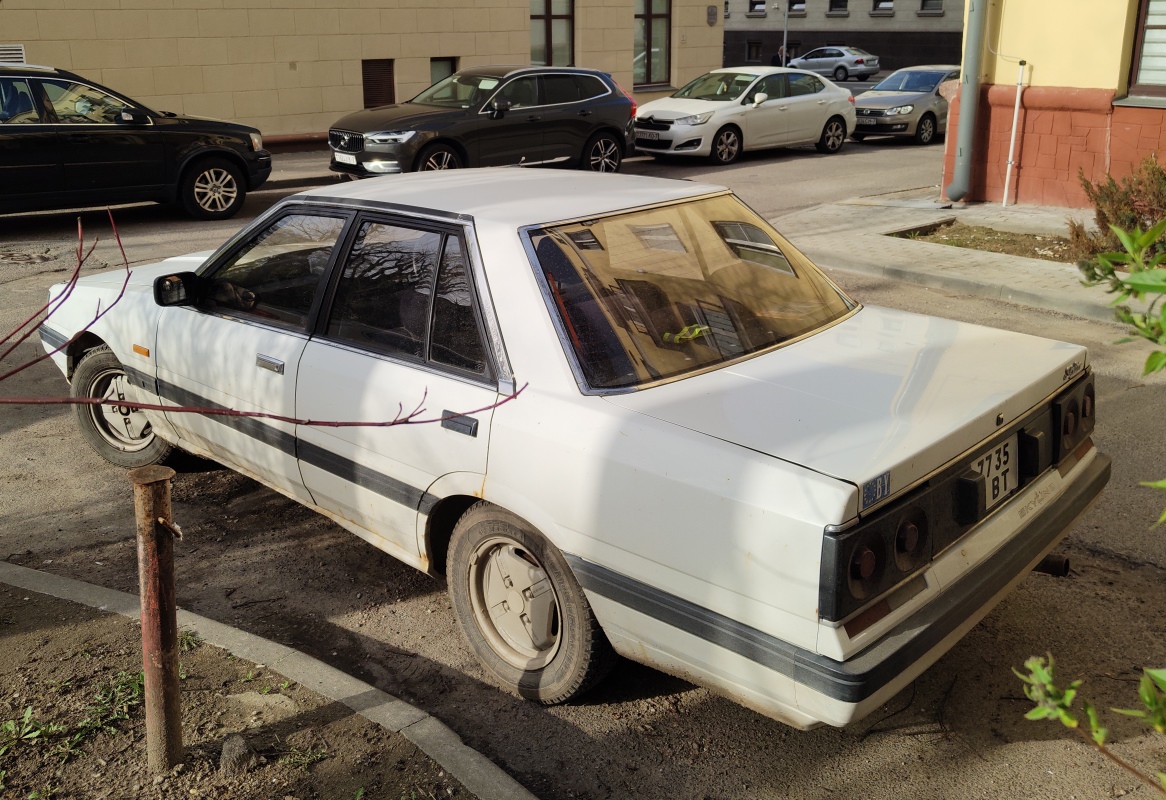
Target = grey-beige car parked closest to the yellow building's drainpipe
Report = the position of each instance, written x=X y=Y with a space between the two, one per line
x=907 y=103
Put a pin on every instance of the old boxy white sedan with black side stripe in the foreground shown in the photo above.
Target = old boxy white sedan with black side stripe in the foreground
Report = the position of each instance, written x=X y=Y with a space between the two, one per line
x=656 y=430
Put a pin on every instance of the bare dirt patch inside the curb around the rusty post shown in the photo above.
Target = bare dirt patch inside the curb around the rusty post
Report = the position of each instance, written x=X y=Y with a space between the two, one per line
x=73 y=726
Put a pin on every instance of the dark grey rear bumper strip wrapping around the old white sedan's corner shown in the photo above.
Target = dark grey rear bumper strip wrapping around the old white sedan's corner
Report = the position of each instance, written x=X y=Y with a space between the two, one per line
x=865 y=675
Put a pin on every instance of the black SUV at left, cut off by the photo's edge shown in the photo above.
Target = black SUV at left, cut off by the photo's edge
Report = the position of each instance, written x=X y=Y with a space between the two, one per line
x=68 y=143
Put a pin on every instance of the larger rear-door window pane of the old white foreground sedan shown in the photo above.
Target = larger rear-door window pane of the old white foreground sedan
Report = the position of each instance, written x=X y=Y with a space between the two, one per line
x=383 y=299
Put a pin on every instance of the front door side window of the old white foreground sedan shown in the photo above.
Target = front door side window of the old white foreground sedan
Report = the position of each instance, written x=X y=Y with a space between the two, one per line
x=276 y=277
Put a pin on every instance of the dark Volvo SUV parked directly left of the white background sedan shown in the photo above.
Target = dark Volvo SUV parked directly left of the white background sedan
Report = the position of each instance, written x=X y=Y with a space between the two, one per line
x=493 y=116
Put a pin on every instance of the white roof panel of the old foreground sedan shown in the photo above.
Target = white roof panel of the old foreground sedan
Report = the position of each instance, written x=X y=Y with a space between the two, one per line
x=515 y=197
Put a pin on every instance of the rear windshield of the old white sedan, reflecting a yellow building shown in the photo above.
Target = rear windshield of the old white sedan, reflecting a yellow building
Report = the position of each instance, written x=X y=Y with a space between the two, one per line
x=659 y=293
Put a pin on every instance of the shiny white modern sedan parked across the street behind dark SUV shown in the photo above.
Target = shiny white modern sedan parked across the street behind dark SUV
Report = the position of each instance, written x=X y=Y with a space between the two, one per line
x=728 y=111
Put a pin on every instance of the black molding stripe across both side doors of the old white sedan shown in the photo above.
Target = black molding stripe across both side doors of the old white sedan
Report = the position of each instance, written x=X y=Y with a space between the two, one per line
x=313 y=454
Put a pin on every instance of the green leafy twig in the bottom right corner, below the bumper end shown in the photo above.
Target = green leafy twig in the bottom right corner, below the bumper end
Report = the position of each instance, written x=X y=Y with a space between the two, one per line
x=1053 y=703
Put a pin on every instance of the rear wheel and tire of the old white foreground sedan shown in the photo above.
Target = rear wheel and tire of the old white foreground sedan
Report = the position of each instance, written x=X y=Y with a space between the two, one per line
x=551 y=650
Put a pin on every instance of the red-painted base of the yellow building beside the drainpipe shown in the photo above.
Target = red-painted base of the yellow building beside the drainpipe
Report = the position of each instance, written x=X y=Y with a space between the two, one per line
x=1063 y=131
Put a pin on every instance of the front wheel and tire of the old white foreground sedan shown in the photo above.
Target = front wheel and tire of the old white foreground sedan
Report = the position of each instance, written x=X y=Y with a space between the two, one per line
x=120 y=436
